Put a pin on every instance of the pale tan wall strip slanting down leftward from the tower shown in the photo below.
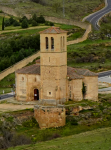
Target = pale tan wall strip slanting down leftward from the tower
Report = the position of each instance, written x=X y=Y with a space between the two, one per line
x=18 y=65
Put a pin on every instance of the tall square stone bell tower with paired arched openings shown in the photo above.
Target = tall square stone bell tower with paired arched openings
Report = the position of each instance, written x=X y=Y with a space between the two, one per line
x=53 y=61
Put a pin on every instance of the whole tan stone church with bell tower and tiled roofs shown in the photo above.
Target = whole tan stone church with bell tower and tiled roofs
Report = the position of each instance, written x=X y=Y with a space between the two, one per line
x=51 y=80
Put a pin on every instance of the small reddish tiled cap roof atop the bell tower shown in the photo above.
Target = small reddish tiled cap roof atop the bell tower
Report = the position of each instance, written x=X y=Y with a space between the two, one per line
x=53 y=29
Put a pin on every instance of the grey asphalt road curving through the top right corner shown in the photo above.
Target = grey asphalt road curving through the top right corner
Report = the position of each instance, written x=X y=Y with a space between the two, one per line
x=94 y=18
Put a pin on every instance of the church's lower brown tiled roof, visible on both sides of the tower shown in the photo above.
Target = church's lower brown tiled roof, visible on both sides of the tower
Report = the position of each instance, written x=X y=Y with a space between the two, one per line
x=72 y=73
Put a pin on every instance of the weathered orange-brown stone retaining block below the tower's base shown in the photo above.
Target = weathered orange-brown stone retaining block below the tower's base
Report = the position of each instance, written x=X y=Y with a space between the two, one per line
x=49 y=116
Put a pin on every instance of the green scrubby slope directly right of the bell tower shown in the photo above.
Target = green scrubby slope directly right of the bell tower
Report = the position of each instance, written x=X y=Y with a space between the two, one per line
x=94 y=55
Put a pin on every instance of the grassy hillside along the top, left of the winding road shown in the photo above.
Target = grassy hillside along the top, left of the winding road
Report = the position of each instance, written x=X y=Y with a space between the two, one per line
x=74 y=9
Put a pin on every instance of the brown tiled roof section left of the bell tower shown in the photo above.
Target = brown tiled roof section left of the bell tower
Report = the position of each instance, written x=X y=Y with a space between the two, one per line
x=33 y=69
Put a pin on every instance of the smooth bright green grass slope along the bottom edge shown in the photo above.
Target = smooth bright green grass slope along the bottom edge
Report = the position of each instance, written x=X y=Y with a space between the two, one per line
x=92 y=140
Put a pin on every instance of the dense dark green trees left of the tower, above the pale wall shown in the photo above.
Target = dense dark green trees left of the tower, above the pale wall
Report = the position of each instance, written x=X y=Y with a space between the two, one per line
x=16 y=49
